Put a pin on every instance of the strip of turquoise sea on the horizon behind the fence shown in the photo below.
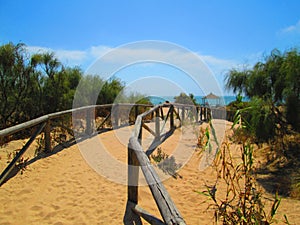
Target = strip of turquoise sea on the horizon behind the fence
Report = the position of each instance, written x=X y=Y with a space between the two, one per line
x=223 y=101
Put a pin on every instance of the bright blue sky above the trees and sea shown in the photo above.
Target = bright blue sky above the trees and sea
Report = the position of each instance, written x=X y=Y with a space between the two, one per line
x=225 y=34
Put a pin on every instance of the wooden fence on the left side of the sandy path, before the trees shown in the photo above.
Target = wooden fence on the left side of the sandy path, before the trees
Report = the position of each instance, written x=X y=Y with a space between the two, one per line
x=46 y=124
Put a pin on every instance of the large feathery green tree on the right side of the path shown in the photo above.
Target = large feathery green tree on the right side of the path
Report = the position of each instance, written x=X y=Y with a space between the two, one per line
x=273 y=87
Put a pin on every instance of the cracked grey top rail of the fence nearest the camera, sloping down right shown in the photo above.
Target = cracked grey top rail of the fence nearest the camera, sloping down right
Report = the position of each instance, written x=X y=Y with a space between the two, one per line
x=167 y=208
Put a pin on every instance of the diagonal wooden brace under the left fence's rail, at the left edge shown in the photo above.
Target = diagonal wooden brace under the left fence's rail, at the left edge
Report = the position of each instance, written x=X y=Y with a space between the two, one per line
x=11 y=165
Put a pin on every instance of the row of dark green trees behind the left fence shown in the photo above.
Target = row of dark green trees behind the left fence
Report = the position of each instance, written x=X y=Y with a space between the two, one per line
x=32 y=85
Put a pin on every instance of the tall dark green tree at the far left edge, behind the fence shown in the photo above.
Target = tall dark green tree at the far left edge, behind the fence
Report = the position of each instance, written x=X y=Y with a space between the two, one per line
x=16 y=75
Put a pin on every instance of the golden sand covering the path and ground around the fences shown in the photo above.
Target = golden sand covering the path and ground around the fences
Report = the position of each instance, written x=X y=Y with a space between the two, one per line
x=63 y=188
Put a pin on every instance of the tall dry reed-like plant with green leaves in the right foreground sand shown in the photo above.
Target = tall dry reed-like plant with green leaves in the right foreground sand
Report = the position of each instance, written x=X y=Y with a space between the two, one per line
x=242 y=202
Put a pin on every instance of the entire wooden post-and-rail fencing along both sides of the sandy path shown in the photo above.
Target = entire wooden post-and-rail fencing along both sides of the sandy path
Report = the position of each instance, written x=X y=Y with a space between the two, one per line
x=137 y=157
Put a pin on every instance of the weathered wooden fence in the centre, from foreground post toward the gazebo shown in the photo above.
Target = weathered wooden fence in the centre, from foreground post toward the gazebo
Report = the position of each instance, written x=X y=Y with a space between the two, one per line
x=138 y=158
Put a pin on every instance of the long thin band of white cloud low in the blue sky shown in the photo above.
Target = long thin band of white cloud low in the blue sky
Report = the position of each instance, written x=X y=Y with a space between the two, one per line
x=88 y=56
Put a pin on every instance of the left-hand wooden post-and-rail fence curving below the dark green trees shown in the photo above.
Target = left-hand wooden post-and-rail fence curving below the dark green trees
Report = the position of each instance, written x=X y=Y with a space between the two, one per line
x=79 y=122
